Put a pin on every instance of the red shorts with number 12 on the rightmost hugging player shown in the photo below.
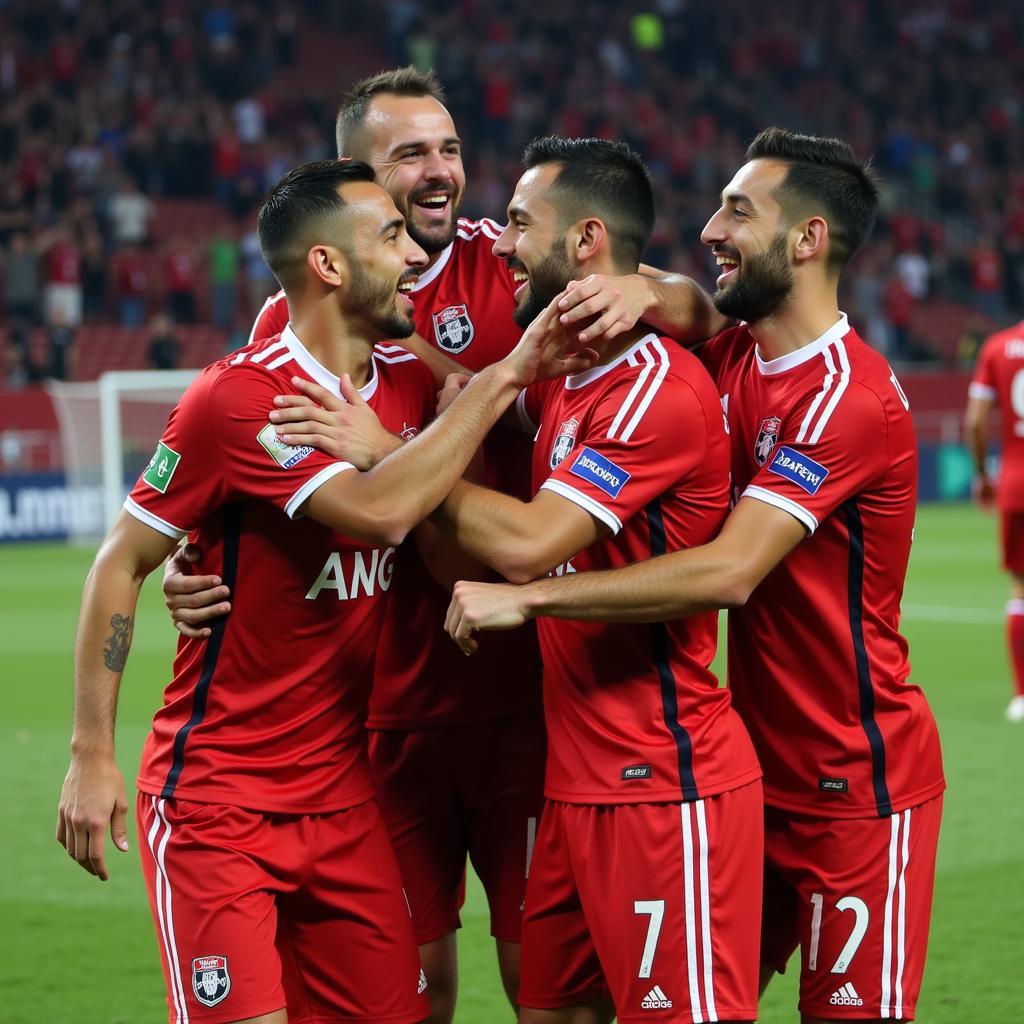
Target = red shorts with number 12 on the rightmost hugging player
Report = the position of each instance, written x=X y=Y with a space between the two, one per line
x=857 y=897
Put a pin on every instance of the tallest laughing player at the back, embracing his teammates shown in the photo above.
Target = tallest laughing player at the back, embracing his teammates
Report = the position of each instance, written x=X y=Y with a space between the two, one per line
x=457 y=748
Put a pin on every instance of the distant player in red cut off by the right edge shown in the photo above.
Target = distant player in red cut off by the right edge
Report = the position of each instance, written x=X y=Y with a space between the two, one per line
x=998 y=382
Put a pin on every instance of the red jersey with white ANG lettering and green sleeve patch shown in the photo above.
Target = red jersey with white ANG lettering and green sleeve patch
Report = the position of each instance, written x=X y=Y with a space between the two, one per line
x=269 y=712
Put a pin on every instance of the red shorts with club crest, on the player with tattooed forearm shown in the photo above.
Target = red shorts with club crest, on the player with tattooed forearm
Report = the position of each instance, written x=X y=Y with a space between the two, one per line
x=258 y=912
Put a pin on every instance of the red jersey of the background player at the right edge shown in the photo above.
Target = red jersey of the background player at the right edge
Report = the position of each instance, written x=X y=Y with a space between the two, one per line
x=1000 y=377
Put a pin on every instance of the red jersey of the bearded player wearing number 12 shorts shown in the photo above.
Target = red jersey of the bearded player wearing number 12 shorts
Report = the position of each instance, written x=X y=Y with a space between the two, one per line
x=818 y=667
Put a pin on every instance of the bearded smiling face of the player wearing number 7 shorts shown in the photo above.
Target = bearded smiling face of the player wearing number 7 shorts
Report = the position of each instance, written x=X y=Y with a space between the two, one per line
x=533 y=246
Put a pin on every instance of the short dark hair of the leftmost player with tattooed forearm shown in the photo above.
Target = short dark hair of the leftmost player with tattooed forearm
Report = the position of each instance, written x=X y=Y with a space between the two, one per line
x=300 y=201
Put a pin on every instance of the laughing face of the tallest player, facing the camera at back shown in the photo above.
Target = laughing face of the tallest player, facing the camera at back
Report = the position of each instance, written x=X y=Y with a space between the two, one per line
x=411 y=144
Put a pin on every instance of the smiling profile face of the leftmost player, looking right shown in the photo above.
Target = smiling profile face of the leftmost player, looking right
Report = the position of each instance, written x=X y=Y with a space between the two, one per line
x=383 y=262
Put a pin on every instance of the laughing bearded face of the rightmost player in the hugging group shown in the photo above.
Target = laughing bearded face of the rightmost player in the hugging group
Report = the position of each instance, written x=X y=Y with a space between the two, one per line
x=749 y=239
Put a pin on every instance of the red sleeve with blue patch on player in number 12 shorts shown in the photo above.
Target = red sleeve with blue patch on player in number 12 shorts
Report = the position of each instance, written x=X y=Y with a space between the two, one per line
x=825 y=457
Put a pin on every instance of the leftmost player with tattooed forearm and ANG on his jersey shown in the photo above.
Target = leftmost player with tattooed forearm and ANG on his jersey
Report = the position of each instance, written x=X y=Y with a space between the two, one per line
x=269 y=869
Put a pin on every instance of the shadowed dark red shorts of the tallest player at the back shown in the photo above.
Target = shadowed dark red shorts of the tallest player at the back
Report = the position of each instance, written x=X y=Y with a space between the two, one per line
x=446 y=793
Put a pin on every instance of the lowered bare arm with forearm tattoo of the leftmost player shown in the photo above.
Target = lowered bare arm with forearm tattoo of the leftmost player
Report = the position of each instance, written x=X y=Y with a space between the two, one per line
x=94 y=795
